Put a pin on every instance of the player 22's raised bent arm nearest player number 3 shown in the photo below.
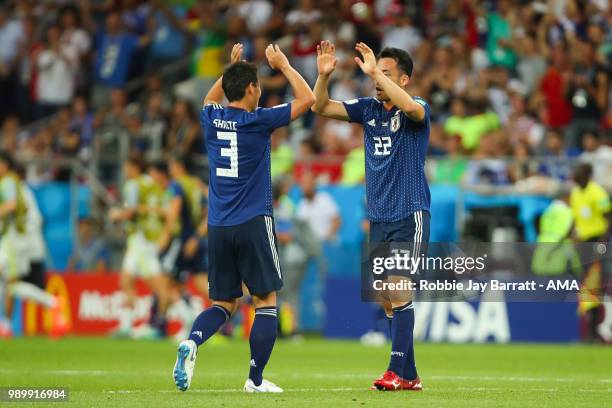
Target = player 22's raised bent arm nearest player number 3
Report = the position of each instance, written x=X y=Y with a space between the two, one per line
x=326 y=63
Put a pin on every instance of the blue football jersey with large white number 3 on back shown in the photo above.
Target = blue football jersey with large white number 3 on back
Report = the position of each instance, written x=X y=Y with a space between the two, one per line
x=238 y=146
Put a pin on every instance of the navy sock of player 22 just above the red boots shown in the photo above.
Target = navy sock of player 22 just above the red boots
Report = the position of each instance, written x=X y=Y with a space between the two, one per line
x=402 y=327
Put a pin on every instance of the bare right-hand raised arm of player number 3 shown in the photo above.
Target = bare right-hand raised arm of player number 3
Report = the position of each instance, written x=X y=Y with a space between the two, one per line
x=304 y=98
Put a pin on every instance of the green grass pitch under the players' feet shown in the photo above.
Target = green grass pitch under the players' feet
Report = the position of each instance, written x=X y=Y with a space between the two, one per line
x=124 y=373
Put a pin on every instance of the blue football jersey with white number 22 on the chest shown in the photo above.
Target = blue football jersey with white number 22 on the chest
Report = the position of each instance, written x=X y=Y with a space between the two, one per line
x=395 y=150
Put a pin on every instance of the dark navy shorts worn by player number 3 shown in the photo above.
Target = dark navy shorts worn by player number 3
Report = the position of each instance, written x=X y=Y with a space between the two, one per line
x=243 y=253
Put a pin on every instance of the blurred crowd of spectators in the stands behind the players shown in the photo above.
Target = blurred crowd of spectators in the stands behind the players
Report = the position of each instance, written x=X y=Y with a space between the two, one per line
x=522 y=80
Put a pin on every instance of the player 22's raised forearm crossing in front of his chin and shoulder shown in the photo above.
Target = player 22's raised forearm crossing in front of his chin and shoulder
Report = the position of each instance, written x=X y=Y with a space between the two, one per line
x=397 y=95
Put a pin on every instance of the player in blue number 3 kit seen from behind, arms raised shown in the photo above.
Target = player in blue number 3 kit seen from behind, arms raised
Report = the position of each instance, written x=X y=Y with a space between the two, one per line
x=241 y=237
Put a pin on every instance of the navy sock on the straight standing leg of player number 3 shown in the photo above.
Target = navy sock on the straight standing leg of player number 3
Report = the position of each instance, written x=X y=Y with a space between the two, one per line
x=263 y=336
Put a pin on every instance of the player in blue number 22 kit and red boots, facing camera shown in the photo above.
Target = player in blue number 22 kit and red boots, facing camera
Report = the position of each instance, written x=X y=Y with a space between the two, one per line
x=396 y=128
